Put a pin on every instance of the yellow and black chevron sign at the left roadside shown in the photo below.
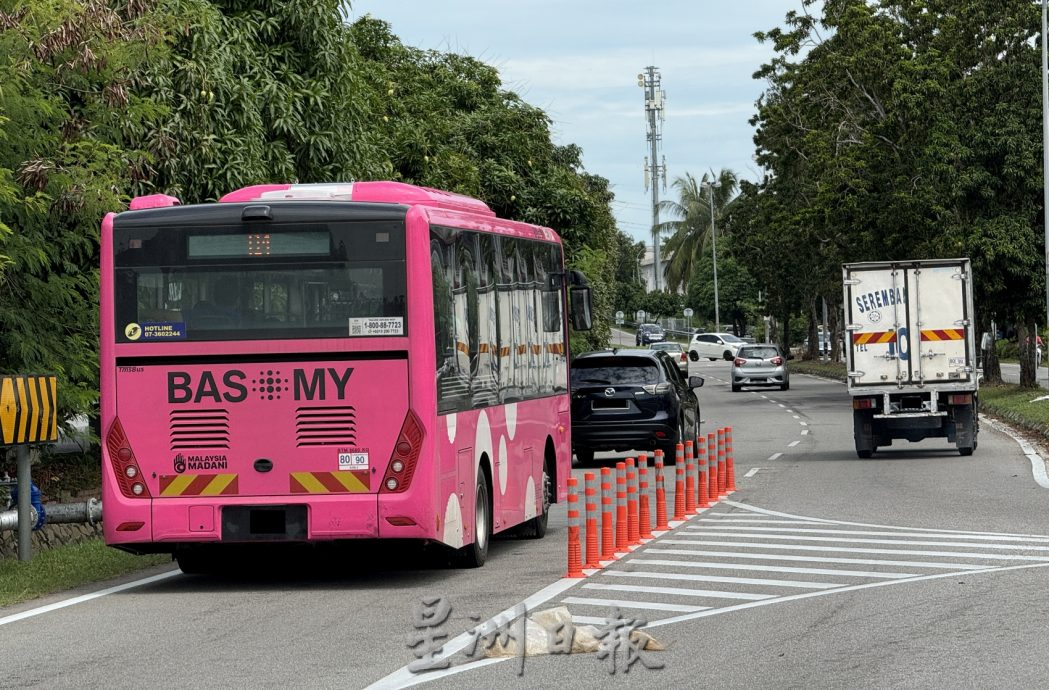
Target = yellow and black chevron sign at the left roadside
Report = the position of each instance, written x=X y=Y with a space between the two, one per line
x=28 y=411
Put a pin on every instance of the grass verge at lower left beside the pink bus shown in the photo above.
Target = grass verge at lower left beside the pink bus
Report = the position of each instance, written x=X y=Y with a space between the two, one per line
x=66 y=568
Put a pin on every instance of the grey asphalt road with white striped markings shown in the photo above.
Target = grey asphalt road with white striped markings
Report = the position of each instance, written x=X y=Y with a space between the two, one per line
x=915 y=569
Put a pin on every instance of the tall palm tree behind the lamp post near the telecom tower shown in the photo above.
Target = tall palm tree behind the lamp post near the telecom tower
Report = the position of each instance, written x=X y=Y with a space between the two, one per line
x=690 y=225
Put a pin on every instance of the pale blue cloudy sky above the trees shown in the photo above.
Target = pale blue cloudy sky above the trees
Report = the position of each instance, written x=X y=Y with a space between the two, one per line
x=580 y=60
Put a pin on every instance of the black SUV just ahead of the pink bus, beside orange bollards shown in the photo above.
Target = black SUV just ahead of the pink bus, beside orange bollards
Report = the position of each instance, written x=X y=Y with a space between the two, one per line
x=632 y=400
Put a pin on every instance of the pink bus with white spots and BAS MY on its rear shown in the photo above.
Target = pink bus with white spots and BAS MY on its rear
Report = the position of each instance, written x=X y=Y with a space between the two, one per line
x=306 y=363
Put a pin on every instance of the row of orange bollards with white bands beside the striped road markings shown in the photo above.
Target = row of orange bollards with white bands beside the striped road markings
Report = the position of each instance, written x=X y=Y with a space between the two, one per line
x=704 y=475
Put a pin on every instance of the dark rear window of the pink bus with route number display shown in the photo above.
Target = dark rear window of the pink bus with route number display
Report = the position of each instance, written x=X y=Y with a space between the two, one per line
x=223 y=284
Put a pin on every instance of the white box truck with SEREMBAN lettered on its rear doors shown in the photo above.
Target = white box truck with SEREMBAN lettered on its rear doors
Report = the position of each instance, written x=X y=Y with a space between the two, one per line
x=911 y=353
